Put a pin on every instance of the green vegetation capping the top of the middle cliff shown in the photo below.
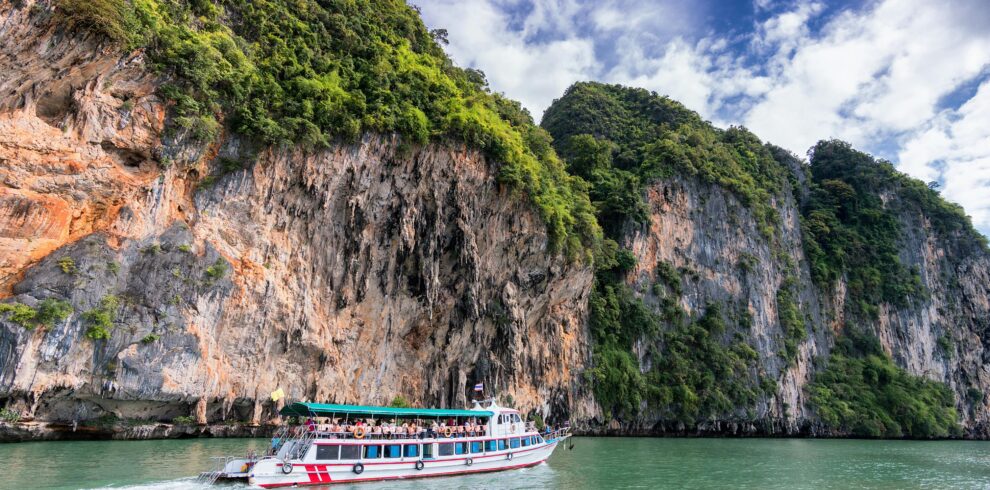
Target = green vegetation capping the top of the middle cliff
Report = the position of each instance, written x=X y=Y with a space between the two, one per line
x=619 y=139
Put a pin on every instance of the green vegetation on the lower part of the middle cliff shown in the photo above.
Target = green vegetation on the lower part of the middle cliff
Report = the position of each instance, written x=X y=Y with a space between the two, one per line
x=695 y=373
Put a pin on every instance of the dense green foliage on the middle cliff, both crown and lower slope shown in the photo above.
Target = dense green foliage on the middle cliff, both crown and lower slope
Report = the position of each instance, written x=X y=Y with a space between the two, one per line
x=619 y=140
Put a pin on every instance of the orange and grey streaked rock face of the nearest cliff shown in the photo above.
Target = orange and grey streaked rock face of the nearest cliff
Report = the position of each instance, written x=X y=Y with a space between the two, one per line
x=355 y=273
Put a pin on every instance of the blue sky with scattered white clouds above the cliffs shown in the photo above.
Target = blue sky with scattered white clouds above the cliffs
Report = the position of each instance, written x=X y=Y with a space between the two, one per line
x=905 y=80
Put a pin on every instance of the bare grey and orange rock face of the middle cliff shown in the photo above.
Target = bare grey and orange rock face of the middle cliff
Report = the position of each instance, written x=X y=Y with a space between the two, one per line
x=704 y=231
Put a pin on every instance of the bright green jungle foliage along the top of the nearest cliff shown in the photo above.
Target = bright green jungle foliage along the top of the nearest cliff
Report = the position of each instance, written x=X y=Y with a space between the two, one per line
x=308 y=72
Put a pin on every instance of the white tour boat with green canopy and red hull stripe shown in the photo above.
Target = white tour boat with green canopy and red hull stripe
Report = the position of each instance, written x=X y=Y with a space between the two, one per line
x=443 y=443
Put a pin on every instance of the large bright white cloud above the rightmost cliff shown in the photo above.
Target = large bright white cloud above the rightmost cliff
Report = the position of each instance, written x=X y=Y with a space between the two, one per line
x=876 y=78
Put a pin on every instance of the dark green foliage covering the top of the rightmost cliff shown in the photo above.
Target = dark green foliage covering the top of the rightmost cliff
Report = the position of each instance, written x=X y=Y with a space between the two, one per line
x=850 y=231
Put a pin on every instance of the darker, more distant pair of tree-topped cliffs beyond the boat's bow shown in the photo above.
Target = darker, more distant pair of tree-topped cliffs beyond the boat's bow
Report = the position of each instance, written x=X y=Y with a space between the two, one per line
x=756 y=294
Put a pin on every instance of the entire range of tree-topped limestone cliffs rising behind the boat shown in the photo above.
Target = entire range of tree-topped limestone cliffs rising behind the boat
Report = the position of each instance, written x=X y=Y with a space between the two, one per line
x=202 y=203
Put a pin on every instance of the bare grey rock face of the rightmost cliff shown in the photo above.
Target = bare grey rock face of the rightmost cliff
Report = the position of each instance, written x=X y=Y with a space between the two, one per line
x=945 y=337
